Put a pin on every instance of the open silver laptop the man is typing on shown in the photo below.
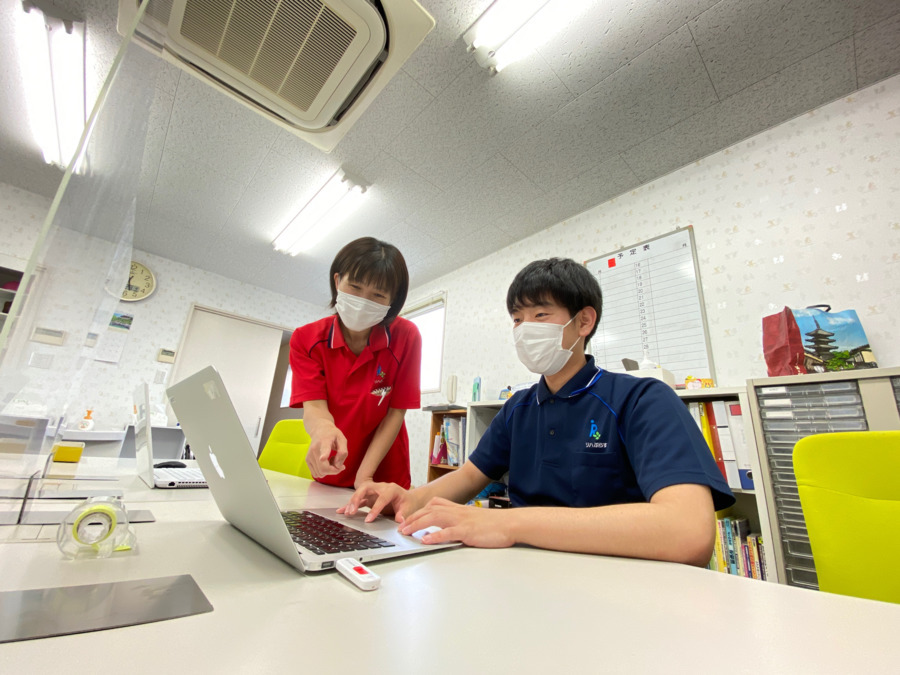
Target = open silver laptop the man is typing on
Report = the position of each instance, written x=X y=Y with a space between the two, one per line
x=238 y=485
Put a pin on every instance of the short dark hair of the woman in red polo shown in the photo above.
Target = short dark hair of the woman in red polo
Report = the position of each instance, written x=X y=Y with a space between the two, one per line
x=370 y=261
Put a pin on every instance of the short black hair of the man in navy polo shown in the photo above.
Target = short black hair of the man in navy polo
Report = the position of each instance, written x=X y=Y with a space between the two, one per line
x=560 y=280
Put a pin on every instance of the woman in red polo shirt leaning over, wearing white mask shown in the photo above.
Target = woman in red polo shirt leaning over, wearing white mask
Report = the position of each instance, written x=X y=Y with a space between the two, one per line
x=356 y=373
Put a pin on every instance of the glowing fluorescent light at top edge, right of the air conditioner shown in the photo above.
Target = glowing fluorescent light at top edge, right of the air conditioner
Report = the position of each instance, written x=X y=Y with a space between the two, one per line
x=511 y=29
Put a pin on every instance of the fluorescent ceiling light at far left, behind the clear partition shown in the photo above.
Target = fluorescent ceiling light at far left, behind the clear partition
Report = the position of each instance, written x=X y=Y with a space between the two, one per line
x=51 y=57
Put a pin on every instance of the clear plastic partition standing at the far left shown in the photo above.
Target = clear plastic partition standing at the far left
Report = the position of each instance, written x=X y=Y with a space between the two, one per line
x=78 y=268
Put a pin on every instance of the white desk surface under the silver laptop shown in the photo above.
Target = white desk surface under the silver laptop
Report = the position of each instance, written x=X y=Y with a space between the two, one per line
x=458 y=611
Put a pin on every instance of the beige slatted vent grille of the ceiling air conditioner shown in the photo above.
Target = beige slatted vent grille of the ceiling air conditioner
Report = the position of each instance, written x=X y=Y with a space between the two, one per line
x=289 y=47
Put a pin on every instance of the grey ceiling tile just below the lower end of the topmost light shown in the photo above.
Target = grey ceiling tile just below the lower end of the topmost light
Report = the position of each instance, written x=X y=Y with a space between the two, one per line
x=476 y=116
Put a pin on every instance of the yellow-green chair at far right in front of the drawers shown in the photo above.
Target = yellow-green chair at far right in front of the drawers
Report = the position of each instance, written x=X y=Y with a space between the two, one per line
x=849 y=486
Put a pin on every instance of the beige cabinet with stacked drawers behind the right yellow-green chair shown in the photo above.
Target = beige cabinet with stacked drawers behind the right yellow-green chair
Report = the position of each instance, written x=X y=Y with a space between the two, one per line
x=786 y=409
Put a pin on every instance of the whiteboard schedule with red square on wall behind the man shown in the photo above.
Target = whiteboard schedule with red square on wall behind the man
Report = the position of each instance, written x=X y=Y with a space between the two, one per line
x=653 y=302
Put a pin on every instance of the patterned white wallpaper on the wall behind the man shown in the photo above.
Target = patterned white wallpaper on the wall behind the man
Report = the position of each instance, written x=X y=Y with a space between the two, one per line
x=805 y=213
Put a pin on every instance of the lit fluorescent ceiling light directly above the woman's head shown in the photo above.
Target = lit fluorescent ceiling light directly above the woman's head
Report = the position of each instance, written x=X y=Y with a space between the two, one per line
x=330 y=206
